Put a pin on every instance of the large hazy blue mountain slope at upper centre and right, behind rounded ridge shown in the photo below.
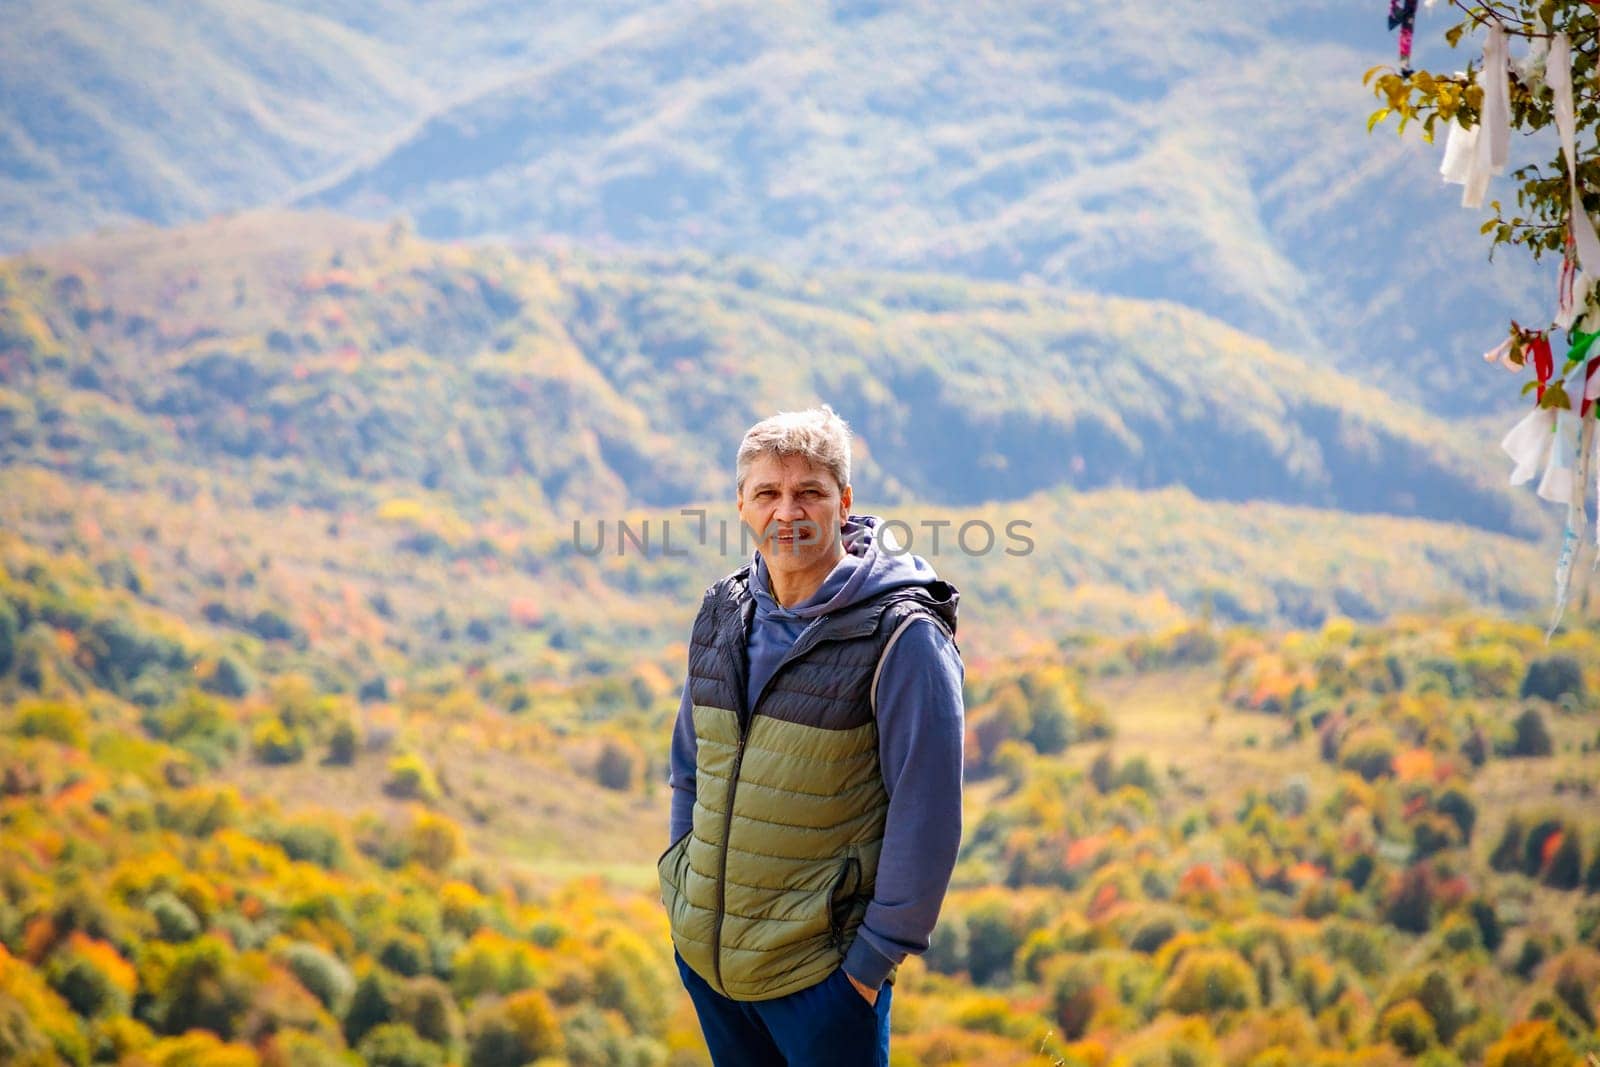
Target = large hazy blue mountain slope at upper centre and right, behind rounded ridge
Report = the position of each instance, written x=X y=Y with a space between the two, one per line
x=1207 y=158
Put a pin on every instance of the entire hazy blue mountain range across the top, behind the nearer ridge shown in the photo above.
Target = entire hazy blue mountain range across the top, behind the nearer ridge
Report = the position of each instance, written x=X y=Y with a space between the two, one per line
x=1214 y=158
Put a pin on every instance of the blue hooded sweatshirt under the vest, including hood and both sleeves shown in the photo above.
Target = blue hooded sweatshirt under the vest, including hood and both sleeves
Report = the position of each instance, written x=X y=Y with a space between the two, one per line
x=921 y=722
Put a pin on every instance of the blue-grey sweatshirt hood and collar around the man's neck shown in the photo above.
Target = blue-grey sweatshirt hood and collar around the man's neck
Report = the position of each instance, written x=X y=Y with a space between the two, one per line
x=865 y=572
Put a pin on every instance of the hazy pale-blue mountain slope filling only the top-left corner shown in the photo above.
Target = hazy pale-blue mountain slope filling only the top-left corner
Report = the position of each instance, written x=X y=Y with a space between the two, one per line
x=166 y=113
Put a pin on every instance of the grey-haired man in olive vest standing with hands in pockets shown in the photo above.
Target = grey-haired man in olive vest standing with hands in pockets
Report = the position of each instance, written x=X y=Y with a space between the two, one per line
x=817 y=767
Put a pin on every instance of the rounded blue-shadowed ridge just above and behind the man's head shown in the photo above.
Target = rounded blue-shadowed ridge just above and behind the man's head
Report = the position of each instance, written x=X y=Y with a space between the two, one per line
x=330 y=359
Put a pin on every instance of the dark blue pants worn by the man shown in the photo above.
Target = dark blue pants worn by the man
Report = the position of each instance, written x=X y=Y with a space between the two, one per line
x=830 y=1025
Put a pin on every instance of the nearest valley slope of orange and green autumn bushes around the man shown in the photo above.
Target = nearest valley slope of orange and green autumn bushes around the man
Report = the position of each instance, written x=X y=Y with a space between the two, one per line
x=1338 y=847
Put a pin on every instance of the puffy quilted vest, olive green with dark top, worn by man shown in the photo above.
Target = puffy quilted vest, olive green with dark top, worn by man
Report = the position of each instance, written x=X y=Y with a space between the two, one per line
x=770 y=884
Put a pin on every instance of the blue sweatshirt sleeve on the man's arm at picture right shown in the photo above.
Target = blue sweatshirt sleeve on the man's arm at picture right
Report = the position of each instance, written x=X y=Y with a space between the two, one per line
x=921 y=722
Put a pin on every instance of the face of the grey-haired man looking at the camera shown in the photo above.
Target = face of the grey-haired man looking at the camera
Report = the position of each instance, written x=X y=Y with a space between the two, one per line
x=794 y=511
